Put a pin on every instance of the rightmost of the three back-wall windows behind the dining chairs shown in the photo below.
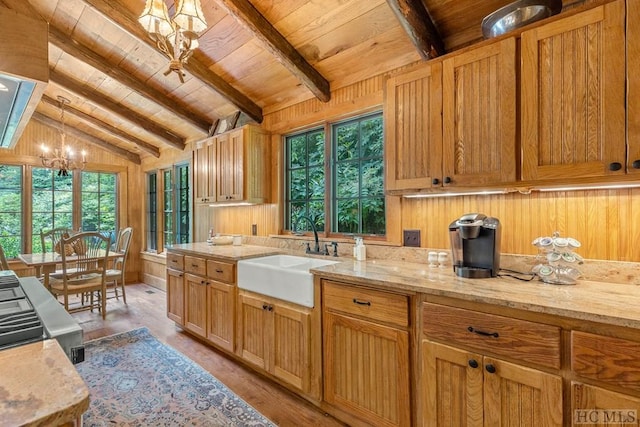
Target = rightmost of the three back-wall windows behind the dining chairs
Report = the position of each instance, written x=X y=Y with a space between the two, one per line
x=99 y=203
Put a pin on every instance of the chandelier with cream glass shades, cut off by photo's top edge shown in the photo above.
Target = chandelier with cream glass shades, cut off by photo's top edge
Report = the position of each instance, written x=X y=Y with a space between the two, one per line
x=176 y=38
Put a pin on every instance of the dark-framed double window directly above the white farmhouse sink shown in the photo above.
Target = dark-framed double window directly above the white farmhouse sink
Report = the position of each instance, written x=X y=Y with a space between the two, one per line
x=341 y=179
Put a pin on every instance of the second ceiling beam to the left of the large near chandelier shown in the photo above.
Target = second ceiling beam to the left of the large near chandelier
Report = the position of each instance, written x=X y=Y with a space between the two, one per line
x=118 y=109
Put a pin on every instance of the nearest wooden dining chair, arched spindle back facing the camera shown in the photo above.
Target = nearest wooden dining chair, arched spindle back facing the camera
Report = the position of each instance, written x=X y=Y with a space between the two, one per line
x=83 y=272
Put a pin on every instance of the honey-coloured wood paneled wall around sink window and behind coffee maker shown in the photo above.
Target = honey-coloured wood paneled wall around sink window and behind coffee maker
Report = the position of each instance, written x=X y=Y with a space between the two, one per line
x=602 y=220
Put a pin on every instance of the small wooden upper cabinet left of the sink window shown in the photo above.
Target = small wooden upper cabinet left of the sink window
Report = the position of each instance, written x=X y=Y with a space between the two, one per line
x=233 y=167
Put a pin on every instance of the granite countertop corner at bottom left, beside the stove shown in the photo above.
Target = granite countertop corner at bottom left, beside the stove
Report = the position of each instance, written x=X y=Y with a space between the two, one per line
x=40 y=386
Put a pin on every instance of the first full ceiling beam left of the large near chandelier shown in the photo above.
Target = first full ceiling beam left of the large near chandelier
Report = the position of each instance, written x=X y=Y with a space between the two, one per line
x=86 y=55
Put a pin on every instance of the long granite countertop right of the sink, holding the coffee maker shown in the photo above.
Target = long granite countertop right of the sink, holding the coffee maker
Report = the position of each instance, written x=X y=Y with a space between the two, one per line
x=615 y=304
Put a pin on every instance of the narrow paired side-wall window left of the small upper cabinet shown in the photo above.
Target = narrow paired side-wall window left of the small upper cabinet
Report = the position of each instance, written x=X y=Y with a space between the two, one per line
x=170 y=189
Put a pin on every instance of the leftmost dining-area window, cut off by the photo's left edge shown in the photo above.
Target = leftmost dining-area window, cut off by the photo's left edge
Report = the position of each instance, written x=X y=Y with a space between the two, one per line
x=11 y=210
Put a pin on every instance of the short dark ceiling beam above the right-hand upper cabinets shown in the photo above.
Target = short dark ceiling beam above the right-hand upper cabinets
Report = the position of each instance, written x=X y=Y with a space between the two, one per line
x=416 y=22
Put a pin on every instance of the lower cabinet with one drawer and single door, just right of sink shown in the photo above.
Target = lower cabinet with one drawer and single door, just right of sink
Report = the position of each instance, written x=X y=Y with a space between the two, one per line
x=366 y=356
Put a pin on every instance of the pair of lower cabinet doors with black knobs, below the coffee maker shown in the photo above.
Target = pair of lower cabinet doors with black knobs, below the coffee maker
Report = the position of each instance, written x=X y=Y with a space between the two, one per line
x=464 y=388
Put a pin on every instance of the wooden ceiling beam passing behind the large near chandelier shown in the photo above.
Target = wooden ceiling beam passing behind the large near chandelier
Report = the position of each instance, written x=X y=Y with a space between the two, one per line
x=122 y=17
